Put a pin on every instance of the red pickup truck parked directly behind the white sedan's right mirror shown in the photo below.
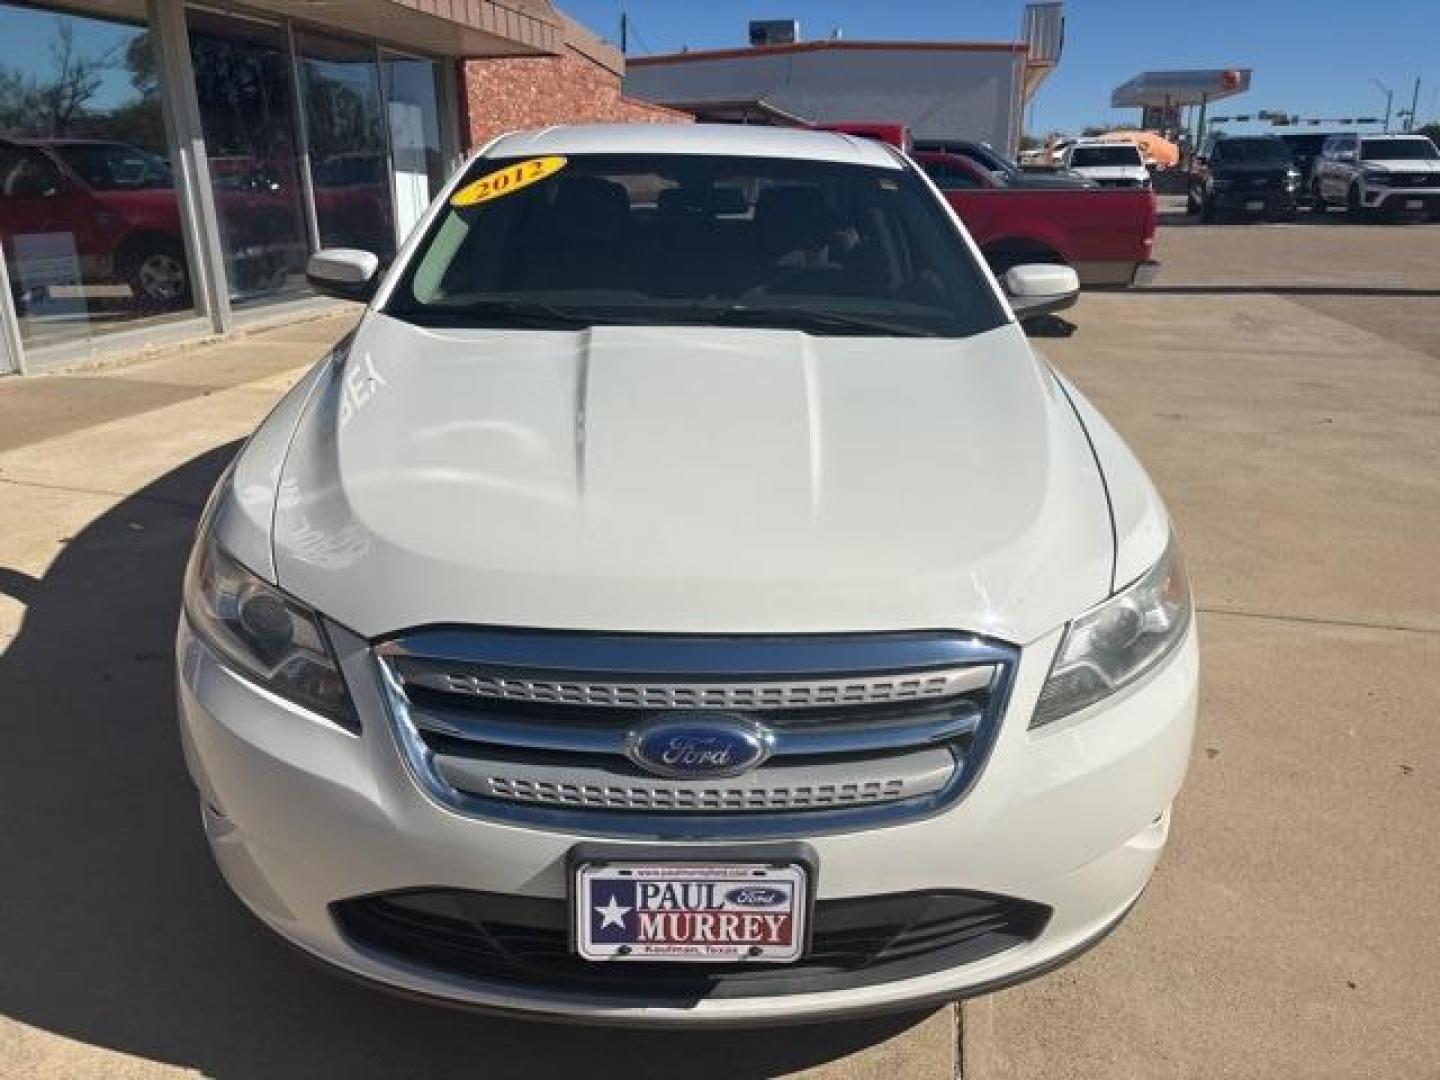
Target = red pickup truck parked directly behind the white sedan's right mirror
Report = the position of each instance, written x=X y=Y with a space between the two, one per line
x=1107 y=235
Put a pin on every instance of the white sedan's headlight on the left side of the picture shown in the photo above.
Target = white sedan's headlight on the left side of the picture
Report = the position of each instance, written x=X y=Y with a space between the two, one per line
x=271 y=637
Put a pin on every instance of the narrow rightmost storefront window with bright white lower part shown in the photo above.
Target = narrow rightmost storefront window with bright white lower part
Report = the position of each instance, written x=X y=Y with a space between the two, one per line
x=413 y=102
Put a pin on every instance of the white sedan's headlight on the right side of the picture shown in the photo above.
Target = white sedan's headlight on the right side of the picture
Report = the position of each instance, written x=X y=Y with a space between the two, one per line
x=1112 y=646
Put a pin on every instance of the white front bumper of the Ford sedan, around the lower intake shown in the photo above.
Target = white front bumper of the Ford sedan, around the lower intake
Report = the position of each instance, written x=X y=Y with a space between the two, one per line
x=303 y=816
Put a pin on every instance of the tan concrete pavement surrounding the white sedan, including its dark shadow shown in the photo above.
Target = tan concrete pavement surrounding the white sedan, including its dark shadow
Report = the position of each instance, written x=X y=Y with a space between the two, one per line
x=1281 y=382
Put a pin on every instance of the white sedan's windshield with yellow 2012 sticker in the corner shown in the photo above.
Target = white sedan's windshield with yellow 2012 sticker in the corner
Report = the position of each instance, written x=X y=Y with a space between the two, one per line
x=601 y=240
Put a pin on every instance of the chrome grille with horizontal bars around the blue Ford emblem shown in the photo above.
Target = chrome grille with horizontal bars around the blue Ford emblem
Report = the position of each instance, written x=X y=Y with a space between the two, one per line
x=532 y=728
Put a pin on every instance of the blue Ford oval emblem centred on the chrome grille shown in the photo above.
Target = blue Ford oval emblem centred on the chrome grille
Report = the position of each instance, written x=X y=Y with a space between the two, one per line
x=699 y=747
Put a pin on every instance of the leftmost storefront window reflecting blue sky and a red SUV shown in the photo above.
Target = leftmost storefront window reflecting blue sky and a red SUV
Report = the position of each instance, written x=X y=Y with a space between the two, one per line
x=89 y=214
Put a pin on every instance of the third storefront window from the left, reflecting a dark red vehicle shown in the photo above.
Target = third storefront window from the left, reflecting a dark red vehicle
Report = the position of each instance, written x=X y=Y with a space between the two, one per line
x=349 y=162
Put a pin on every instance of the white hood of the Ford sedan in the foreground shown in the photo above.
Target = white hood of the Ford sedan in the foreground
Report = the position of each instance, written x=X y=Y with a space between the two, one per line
x=692 y=480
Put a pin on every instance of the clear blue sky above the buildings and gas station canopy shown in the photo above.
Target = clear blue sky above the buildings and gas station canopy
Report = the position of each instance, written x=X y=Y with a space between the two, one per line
x=1315 y=58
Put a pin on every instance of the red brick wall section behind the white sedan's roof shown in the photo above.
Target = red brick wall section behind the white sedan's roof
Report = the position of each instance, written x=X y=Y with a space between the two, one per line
x=525 y=93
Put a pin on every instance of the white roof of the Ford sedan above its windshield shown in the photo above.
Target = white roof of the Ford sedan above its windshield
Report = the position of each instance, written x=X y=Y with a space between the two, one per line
x=734 y=140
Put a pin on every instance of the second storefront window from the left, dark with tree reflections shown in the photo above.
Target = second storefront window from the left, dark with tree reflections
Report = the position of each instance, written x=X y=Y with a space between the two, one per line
x=244 y=86
